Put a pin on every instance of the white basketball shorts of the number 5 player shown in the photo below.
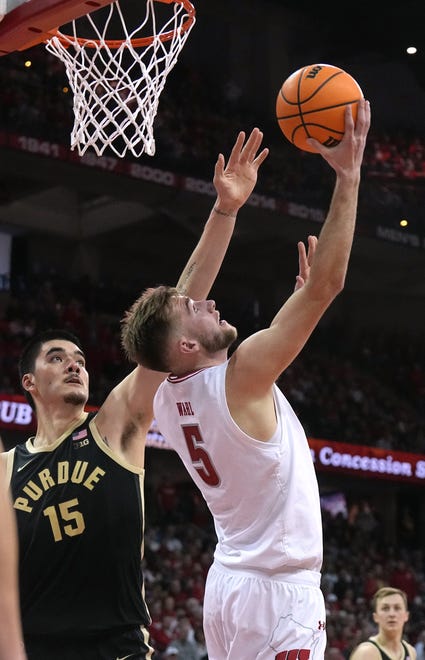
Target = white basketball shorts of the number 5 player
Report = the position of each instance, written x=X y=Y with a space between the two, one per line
x=250 y=616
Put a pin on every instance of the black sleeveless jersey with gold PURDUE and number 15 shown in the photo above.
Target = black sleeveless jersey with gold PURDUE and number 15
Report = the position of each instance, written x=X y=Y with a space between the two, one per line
x=80 y=516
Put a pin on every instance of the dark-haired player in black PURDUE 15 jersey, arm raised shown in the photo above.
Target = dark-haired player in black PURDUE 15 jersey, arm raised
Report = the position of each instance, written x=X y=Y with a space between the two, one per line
x=77 y=485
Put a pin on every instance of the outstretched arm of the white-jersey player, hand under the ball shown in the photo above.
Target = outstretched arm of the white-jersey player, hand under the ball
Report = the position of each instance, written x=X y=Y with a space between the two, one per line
x=264 y=356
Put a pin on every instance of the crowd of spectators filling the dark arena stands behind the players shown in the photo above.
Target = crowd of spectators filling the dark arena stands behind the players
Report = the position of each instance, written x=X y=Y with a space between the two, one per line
x=364 y=389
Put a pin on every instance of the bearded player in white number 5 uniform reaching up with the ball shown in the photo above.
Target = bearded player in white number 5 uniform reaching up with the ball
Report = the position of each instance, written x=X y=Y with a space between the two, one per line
x=242 y=443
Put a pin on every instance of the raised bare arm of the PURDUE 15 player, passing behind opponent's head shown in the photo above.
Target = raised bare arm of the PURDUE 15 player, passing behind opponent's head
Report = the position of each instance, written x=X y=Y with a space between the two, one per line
x=126 y=416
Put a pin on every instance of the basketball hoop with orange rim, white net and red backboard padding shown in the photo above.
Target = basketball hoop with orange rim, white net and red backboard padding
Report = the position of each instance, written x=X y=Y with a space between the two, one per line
x=116 y=71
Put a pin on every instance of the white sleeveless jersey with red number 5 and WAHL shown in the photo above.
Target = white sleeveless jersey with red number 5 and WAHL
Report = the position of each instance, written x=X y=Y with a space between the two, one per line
x=263 y=495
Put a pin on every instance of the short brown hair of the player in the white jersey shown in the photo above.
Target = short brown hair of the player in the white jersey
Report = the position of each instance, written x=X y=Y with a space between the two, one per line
x=146 y=328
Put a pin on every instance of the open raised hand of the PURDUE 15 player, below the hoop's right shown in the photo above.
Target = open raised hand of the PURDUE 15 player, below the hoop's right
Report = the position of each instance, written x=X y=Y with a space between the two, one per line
x=235 y=181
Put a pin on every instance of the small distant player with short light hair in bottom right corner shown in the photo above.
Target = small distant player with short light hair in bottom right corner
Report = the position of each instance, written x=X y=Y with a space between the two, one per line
x=390 y=613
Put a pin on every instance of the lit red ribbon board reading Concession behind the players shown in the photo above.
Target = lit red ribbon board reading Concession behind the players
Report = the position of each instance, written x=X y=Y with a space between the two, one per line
x=358 y=461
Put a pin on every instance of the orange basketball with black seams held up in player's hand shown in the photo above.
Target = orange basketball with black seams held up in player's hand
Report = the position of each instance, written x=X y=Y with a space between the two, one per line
x=311 y=104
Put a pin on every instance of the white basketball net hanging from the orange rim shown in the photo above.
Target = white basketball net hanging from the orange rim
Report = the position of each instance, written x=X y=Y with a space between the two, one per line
x=116 y=86
